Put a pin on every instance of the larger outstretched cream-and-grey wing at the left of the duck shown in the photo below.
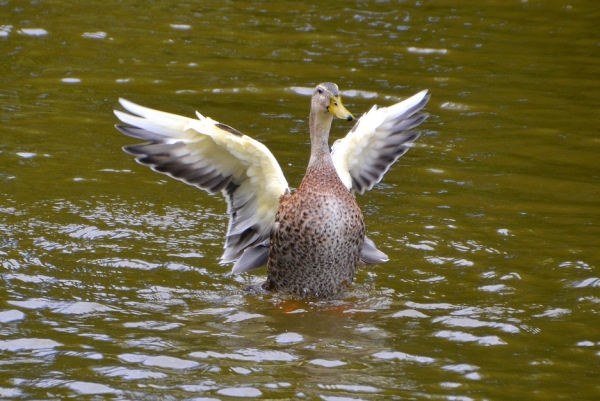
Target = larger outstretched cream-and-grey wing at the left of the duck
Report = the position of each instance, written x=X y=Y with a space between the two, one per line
x=216 y=158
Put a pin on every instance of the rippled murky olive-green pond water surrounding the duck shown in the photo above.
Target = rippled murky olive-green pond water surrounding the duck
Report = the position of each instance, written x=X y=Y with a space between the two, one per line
x=110 y=283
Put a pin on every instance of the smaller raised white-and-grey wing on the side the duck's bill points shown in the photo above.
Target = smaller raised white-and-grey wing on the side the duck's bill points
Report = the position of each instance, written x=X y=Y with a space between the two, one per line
x=377 y=140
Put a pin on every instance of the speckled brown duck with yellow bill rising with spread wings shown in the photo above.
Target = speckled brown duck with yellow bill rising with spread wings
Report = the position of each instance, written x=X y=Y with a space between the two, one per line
x=311 y=240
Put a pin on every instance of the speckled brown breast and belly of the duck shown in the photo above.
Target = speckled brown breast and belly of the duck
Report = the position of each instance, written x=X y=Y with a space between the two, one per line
x=318 y=237
